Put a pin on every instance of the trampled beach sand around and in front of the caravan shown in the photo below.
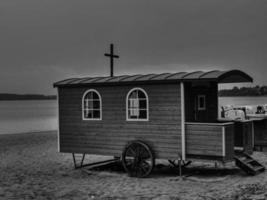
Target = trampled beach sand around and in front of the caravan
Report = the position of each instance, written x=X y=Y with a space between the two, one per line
x=31 y=168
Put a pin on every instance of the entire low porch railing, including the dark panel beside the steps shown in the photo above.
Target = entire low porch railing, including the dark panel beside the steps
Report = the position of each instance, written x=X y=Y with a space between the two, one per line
x=218 y=141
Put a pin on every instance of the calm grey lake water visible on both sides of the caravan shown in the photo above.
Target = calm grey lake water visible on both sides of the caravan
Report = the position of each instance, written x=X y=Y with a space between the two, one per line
x=28 y=116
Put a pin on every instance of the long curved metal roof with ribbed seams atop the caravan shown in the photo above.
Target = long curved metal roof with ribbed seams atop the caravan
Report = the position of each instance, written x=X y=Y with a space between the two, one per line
x=232 y=76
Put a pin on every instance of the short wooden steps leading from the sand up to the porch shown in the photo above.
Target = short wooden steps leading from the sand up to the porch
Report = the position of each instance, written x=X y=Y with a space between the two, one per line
x=248 y=164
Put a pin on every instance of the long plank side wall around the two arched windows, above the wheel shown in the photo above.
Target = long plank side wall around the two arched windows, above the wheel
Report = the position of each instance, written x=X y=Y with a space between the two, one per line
x=109 y=136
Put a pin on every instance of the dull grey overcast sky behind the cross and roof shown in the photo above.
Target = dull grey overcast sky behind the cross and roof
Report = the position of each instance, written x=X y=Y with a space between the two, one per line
x=43 y=41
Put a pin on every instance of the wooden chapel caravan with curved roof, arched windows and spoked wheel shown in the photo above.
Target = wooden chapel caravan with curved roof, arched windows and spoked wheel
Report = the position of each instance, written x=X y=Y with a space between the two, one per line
x=141 y=118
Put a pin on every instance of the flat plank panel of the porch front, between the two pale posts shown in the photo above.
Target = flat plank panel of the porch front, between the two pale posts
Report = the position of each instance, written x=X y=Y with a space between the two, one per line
x=203 y=140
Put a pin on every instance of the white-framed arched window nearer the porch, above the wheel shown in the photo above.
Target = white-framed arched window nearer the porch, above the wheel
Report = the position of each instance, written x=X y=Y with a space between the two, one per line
x=137 y=105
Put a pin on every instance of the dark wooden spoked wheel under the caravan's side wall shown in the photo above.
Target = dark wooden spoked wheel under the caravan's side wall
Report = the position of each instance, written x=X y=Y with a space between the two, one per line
x=138 y=159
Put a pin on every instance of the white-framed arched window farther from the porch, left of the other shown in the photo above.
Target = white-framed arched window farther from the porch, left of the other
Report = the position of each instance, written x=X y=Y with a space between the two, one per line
x=92 y=105
